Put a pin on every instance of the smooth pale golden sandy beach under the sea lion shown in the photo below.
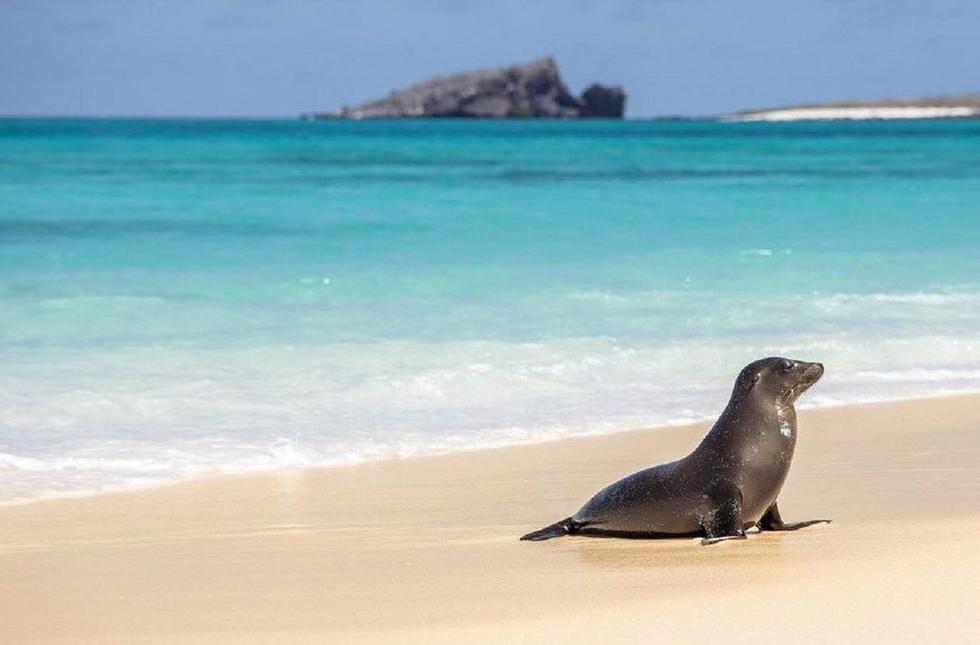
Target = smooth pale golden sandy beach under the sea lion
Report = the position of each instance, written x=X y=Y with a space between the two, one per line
x=426 y=550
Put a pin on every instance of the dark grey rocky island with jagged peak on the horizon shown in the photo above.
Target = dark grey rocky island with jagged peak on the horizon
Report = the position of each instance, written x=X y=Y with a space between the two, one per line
x=532 y=90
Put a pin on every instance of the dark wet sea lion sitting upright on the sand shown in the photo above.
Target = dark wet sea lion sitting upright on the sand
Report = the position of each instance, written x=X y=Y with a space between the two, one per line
x=727 y=485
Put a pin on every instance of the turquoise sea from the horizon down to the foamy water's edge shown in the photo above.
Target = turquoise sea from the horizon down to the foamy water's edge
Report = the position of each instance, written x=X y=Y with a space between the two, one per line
x=186 y=297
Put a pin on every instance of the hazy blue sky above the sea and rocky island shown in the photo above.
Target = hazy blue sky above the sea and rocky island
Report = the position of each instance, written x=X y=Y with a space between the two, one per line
x=284 y=57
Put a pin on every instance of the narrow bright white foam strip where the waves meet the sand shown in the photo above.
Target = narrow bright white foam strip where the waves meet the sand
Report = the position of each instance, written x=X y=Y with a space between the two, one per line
x=25 y=479
